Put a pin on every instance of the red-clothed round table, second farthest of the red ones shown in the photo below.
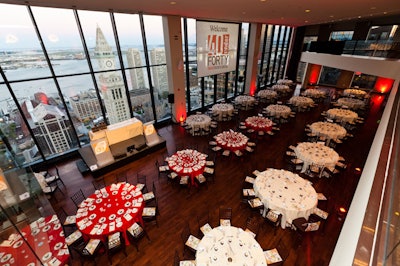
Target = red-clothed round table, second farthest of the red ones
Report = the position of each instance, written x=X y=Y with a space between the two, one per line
x=231 y=140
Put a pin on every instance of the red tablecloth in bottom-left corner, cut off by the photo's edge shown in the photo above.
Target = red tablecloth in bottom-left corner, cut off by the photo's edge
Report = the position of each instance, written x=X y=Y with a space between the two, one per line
x=45 y=236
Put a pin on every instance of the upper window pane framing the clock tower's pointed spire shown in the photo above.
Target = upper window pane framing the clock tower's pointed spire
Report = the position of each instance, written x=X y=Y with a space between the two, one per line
x=99 y=37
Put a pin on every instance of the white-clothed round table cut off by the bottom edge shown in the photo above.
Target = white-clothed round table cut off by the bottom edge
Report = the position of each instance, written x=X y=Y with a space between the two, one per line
x=229 y=245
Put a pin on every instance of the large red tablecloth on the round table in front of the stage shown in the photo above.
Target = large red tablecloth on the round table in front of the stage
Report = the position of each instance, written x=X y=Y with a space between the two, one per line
x=112 y=209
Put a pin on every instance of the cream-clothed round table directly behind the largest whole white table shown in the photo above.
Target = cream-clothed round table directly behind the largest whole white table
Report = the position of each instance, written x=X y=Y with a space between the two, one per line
x=316 y=153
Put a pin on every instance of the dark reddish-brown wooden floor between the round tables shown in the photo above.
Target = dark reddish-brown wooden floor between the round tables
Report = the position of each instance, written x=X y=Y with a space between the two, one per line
x=178 y=207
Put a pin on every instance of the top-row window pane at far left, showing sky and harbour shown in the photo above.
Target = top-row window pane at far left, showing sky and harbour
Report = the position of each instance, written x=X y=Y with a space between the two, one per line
x=22 y=55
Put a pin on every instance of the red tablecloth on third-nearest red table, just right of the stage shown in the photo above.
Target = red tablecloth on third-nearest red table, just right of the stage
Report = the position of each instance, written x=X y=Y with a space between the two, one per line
x=187 y=163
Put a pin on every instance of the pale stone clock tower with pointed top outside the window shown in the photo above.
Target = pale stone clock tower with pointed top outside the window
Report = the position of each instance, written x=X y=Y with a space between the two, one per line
x=111 y=83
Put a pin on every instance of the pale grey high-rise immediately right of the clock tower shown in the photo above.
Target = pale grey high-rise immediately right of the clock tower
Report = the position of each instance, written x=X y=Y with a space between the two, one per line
x=136 y=75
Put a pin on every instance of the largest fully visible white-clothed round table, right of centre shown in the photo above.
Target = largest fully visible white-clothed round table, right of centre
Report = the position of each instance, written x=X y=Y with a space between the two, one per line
x=287 y=193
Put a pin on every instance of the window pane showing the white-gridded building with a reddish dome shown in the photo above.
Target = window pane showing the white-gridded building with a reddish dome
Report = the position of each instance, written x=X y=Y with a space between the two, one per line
x=46 y=115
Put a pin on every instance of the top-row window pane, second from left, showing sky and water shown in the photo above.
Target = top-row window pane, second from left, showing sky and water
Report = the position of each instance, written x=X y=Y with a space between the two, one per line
x=64 y=47
